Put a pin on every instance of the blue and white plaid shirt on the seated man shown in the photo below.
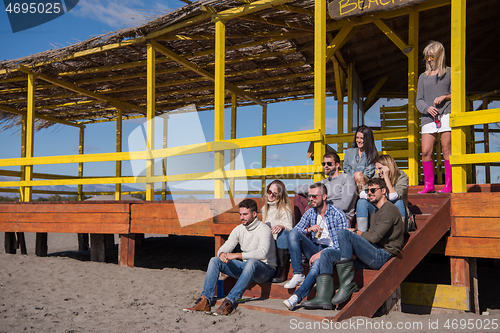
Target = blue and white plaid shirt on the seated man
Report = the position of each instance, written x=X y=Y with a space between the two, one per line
x=335 y=220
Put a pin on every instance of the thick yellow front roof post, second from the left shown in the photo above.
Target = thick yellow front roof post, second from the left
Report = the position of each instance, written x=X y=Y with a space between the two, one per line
x=150 y=118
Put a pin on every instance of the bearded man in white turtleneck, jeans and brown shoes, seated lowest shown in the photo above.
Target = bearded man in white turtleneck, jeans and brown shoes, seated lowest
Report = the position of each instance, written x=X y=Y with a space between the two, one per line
x=256 y=262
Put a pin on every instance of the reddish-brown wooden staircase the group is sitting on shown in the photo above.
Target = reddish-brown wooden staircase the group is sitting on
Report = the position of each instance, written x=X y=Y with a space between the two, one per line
x=432 y=216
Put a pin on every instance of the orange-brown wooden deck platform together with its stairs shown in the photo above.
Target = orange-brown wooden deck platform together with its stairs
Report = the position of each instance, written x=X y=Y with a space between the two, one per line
x=471 y=219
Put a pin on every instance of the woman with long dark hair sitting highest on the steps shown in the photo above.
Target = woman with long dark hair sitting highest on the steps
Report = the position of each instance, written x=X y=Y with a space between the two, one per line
x=360 y=160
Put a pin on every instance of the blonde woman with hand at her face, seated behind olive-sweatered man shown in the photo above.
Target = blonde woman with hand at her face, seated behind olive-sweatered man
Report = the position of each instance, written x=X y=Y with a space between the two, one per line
x=397 y=186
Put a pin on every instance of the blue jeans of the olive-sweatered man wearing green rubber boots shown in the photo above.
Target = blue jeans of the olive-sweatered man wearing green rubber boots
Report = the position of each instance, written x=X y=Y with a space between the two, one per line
x=371 y=255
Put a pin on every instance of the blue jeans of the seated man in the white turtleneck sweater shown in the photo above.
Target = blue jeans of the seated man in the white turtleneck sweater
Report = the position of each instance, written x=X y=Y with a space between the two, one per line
x=252 y=270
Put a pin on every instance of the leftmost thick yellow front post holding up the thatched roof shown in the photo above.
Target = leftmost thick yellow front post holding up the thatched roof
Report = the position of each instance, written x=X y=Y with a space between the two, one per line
x=30 y=132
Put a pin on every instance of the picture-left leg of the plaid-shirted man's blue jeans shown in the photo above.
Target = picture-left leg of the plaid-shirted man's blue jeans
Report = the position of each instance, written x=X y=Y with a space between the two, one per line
x=298 y=243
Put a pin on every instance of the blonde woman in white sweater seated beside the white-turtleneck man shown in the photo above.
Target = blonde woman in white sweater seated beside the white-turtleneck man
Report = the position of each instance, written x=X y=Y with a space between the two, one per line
x=277 y=214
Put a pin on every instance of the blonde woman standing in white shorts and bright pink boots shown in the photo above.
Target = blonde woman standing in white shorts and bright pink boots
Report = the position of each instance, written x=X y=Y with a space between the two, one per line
x=433 y=101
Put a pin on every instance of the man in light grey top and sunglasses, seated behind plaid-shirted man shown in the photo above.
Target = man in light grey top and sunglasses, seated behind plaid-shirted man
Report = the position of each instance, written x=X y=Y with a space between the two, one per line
x=342 y=190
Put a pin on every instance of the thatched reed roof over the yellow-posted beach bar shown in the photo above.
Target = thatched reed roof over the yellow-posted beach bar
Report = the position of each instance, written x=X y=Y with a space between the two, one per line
x=269 y=53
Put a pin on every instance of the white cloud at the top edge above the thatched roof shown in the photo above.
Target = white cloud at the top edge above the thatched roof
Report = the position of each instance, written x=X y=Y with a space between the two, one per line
x=118 y=14
